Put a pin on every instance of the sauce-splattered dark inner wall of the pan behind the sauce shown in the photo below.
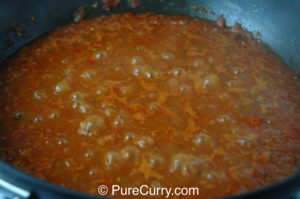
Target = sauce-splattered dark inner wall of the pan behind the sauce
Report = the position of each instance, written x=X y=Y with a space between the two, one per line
x=275 y=22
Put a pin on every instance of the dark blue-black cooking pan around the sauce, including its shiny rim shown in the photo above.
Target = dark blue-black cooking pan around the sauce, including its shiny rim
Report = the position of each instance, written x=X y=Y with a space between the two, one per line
x=276 y=22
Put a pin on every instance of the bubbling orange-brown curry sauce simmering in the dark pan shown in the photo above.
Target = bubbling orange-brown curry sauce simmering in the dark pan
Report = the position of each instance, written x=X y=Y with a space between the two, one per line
x=166 y=101
